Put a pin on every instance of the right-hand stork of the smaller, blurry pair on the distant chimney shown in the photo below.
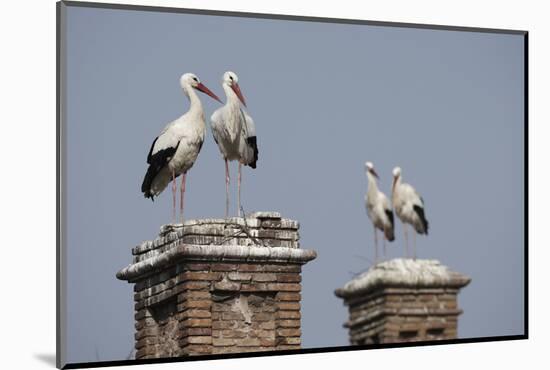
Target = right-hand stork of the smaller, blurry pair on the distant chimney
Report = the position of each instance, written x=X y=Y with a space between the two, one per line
x=409 y=207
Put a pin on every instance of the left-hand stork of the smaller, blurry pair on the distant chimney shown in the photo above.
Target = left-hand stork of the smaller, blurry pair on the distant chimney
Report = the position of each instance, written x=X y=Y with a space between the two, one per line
x=378 y=209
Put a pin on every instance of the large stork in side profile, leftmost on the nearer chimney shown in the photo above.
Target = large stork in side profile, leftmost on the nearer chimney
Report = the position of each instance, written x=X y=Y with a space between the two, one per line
x=175 y=150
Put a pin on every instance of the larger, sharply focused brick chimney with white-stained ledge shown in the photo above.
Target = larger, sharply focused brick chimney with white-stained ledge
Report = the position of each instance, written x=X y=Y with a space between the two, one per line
x=218 y=286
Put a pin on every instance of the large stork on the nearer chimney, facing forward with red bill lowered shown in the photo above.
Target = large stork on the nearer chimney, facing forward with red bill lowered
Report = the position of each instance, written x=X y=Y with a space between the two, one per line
x=234 y=132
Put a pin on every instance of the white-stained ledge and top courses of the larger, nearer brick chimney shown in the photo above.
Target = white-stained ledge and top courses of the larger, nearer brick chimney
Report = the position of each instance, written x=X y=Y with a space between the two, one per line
x=261 y=237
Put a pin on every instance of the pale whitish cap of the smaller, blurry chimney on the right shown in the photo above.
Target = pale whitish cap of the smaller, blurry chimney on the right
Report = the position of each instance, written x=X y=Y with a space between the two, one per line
x=403 y=273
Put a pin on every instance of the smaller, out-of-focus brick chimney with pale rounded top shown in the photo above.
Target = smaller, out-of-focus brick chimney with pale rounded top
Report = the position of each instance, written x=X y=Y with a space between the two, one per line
x=403 y=300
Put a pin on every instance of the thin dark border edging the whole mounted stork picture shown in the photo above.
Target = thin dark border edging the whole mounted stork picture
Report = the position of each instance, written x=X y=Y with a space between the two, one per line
x=60 y=270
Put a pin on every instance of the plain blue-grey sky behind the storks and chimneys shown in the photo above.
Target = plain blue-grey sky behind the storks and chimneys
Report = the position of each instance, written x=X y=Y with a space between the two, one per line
x=446 y=106
